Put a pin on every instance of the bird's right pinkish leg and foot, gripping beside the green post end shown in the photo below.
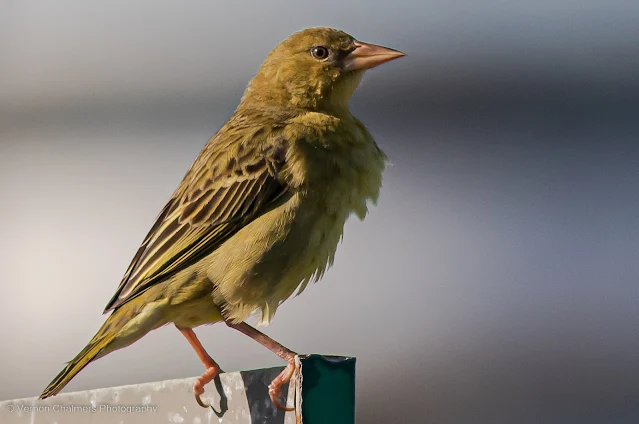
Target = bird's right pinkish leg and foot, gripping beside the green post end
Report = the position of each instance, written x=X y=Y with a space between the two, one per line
x=275 y=388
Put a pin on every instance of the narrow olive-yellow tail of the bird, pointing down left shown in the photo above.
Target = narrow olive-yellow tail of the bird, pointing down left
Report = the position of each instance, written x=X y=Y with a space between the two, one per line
x=108 y=338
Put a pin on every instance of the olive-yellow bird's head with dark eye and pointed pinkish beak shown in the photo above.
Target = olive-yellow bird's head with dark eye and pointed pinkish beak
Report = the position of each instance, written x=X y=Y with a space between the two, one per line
x=314 y=69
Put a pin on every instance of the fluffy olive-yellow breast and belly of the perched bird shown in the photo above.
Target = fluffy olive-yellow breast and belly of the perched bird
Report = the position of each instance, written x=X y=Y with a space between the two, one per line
x=294 y=243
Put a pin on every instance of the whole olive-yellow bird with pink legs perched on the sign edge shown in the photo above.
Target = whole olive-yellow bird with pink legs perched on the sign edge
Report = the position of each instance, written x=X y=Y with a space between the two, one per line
x=260 y=212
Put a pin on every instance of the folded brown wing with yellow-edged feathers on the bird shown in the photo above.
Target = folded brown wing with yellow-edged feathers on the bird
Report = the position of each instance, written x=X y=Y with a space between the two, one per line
x=227 y=187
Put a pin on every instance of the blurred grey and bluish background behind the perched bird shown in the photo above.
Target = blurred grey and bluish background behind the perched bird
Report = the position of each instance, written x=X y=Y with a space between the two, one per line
x=497 y=280
